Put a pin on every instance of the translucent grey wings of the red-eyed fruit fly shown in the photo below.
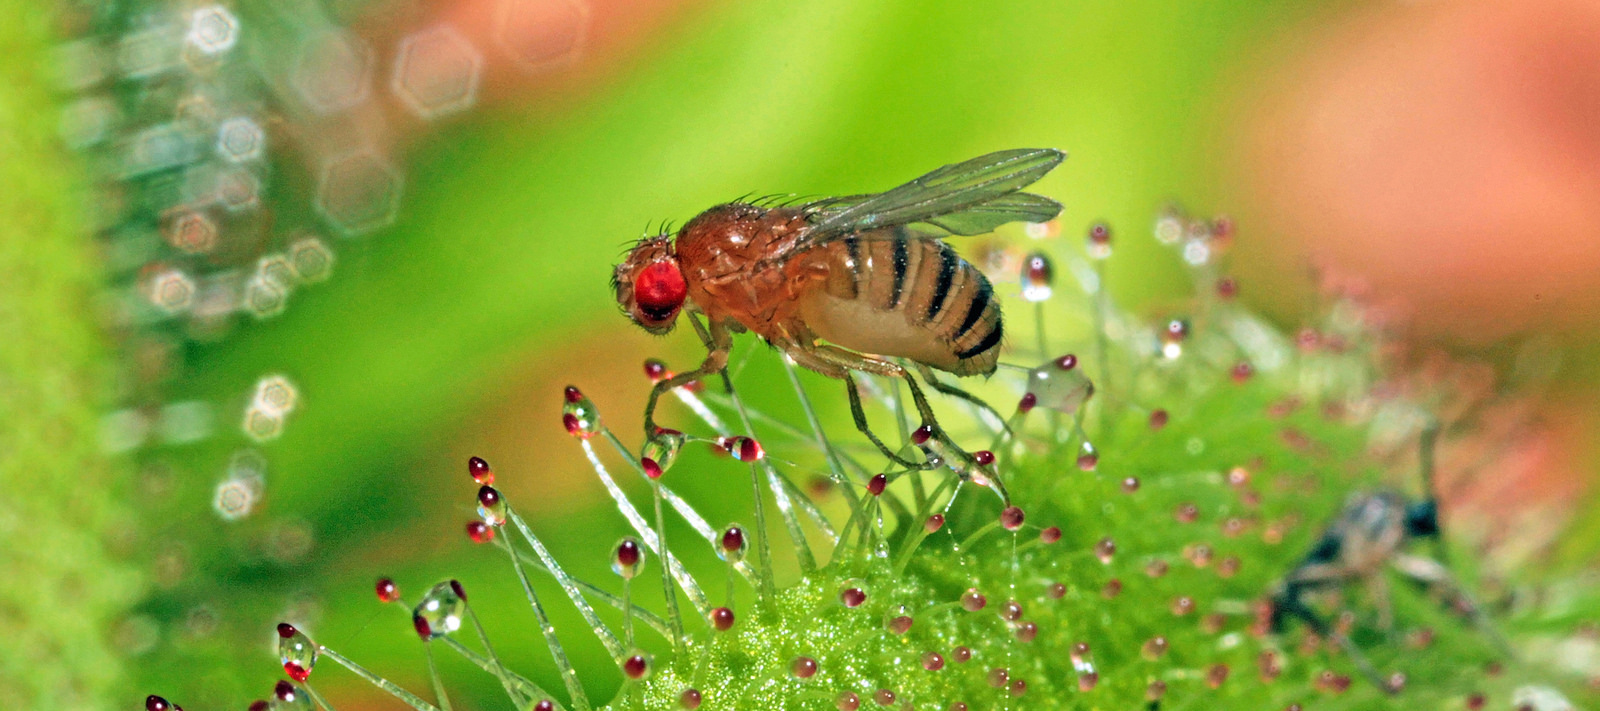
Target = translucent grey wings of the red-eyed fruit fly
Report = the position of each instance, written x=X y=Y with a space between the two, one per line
x=964 y=199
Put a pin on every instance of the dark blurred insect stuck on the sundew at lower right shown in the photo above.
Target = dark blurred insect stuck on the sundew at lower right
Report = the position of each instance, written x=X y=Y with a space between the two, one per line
x=1370 y=534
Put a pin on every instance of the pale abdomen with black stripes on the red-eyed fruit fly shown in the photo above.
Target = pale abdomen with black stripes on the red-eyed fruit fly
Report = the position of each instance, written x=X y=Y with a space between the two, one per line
x=894 y=295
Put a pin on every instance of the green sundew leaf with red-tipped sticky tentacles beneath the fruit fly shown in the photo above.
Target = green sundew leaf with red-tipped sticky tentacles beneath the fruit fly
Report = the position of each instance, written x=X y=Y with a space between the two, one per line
x=1164 y=478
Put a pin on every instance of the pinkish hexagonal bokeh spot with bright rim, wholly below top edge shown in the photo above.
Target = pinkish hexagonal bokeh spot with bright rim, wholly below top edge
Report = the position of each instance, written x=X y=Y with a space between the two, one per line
x=438 y=73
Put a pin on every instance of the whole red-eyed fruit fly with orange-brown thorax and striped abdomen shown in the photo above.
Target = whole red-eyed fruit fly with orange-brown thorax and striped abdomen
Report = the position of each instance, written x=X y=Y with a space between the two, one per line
x=846 y=284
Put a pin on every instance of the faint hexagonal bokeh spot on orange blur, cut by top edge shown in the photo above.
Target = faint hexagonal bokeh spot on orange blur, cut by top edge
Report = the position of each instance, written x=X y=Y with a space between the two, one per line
x=543 y=34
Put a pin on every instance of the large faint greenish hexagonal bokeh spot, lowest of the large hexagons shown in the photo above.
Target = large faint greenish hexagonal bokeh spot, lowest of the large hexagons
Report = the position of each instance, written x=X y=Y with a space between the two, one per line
x=359 y=193
